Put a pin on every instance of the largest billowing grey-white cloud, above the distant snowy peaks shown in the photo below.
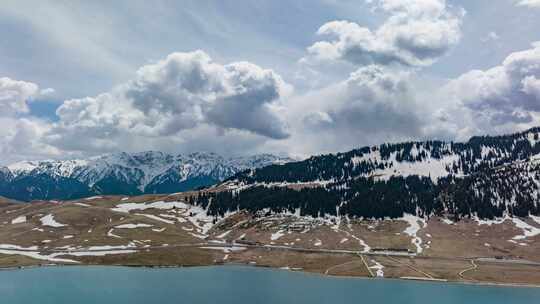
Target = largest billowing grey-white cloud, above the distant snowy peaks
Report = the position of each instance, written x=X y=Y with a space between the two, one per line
x=180 y=93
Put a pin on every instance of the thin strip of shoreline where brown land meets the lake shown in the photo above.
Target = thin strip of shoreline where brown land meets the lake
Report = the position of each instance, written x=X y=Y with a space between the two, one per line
x=270 y=268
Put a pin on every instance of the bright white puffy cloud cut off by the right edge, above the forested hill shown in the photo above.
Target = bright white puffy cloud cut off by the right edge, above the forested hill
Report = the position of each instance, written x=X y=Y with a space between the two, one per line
x=508 y=93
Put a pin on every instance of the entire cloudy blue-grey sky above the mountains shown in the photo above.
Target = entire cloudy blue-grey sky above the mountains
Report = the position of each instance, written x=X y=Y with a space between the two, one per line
x=297 y=78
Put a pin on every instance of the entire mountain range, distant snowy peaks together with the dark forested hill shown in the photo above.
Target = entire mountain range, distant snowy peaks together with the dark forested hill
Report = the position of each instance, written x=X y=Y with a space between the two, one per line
x=485 y=177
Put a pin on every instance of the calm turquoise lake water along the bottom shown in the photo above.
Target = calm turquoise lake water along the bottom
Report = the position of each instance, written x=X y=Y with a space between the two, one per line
x=233 y=284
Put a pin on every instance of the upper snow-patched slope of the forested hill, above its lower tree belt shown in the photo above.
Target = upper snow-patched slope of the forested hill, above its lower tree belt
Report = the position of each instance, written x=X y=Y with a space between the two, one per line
x=432 y=159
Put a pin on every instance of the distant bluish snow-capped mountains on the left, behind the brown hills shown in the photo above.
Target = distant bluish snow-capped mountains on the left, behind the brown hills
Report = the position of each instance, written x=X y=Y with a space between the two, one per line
x=131 y=173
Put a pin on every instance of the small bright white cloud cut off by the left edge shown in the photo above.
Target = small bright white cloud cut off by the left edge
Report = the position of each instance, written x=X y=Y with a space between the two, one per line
x=14 y=96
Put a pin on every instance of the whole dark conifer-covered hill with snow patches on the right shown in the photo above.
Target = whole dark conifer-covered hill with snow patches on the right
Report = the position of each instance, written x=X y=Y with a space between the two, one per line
x=487 y=176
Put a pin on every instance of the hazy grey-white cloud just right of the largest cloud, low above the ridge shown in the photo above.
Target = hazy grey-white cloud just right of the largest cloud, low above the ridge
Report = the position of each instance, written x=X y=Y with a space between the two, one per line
x=374 y=104
